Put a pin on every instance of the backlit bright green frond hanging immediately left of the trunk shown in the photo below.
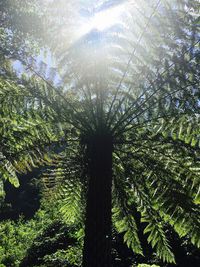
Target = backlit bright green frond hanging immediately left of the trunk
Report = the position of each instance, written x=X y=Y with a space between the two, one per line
x=65 y=180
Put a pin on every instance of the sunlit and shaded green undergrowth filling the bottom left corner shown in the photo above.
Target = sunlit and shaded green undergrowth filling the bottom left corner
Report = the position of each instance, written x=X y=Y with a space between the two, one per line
x=40 y=240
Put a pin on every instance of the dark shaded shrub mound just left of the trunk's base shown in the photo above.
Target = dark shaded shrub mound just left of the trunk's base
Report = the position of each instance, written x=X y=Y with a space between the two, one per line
x=48 y=247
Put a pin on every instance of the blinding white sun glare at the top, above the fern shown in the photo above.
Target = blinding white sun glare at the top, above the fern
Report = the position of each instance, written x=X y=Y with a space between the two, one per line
x=102 y=20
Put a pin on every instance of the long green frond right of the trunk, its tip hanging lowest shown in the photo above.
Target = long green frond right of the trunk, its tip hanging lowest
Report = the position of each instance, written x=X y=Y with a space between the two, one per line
x=139 y=196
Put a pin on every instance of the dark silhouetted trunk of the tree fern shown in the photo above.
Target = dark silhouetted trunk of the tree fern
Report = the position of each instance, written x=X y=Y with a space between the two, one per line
x=97 y=243
